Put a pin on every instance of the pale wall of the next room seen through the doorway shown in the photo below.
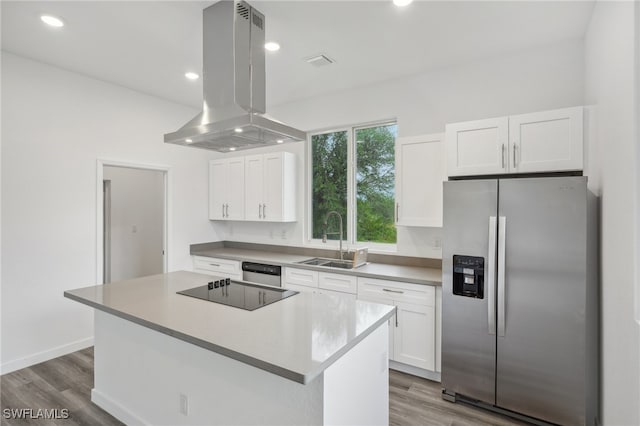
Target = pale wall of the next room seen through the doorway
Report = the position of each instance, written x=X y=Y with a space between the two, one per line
x=137 y=222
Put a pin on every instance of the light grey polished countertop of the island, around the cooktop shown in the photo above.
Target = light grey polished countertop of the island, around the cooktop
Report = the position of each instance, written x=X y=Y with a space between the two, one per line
x=296 y=338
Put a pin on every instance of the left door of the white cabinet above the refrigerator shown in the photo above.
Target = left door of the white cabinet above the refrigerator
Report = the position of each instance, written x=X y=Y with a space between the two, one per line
x=478 y=147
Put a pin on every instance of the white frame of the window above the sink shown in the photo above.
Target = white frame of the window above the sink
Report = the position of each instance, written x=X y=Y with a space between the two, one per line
x=350 y=222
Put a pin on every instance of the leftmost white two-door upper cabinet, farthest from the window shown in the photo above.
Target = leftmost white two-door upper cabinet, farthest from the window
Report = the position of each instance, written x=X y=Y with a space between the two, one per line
x=226 y=189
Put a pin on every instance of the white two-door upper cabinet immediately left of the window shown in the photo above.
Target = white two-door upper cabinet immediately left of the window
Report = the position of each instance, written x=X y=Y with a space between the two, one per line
x=270 y=182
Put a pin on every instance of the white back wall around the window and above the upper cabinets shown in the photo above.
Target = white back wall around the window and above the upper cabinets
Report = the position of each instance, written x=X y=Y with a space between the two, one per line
x=539 y=79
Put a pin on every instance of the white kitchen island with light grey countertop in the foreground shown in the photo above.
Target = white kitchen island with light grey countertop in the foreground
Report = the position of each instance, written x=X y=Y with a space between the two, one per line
x=165 y=358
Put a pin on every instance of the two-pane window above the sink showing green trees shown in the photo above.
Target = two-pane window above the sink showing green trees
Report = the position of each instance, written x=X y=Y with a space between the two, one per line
x=353 y=173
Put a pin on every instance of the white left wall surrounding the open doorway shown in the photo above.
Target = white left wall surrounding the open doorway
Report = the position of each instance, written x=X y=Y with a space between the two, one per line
x=55 y=125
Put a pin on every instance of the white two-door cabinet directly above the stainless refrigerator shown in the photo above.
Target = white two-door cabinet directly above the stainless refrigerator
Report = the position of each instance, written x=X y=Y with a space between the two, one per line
x=547 y=141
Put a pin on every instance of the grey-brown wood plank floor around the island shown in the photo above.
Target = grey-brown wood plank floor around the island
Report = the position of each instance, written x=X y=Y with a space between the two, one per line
x=66 y=383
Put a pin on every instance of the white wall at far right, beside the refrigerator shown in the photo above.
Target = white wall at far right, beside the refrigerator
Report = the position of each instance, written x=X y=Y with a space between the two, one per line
x=611 y=79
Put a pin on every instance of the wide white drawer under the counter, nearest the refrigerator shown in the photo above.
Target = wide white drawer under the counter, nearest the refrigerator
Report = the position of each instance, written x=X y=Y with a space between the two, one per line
x=372 y=289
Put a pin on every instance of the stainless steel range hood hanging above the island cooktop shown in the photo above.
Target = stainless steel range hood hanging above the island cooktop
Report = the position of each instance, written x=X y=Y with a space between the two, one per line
x=232 y=116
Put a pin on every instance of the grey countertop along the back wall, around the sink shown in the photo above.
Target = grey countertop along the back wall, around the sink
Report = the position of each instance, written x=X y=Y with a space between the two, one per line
x=410 y=274
